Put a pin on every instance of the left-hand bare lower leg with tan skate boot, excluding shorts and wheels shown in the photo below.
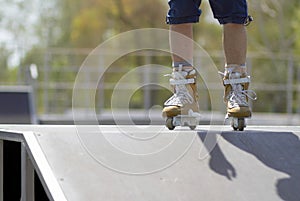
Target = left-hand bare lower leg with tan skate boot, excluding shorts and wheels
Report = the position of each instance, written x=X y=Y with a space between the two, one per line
x=185 y=95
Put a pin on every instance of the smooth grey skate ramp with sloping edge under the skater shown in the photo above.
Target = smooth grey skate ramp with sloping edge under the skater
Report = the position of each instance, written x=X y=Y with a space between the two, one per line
x=151 y=163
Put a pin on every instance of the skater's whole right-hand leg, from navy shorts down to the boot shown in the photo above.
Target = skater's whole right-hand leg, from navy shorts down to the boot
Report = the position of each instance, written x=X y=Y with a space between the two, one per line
x=233 y=14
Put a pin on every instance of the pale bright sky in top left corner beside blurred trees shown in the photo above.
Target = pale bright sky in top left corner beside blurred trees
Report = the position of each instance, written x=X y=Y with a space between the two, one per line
x=10 y=19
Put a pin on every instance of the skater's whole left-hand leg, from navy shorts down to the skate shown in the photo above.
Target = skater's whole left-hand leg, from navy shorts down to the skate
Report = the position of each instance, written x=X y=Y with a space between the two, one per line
x=181 y=16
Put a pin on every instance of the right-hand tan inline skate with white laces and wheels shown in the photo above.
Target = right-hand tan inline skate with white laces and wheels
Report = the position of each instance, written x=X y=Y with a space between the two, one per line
x=236 y=95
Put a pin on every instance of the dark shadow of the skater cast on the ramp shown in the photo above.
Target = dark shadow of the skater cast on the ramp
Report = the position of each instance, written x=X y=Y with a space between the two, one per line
x=277 y=150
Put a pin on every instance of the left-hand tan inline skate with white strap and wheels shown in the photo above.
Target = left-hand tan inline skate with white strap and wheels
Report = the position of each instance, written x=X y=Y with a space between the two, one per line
x=182 y=108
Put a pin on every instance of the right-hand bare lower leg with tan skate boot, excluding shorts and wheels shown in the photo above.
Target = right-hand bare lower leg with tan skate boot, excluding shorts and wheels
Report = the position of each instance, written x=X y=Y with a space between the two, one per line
x=235 y=48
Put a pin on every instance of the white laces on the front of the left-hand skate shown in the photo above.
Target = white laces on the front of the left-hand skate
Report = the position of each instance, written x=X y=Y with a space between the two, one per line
x=181 y=93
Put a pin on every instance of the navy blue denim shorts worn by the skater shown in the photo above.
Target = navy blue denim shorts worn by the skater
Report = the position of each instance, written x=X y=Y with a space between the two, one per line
x=225 y=11
